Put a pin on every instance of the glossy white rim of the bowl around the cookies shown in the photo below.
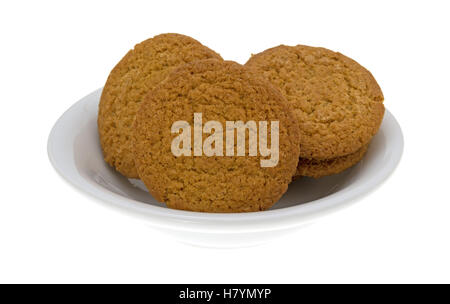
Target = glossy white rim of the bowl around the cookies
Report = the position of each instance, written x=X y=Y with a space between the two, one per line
x=220 y=222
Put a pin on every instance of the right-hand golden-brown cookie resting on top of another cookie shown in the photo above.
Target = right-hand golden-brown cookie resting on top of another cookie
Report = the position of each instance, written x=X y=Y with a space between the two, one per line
x=338 y=103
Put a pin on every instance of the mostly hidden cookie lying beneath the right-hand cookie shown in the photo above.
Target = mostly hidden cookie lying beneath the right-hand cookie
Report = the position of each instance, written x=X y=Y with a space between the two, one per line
x=320 y=168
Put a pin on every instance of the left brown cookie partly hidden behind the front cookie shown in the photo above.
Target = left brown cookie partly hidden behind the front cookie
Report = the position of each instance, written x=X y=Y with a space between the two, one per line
x=138 y=72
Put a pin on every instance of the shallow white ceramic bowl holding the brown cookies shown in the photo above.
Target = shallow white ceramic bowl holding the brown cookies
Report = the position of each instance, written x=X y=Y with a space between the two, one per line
x=74 y=151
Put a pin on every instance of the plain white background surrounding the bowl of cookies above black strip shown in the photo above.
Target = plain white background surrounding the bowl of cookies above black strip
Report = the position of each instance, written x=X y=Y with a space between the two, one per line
x=54 y=53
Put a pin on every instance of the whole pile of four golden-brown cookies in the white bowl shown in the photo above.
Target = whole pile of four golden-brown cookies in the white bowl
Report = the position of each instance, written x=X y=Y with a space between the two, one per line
x=323 y=107
